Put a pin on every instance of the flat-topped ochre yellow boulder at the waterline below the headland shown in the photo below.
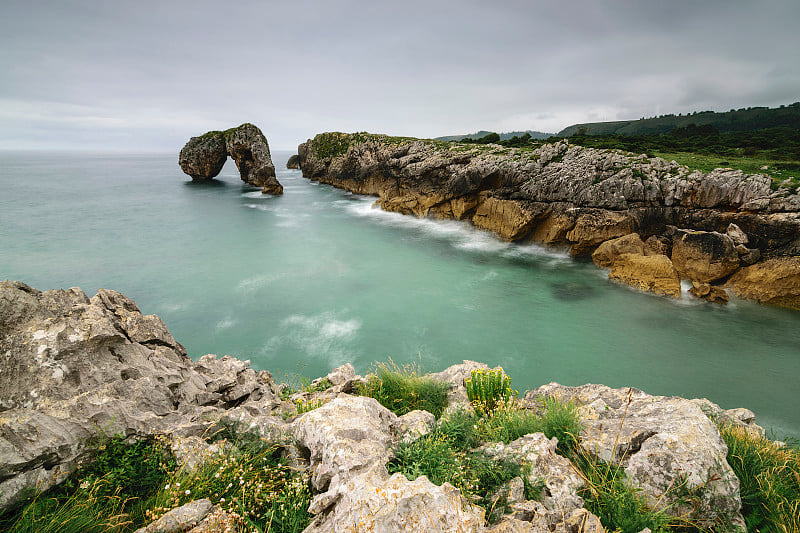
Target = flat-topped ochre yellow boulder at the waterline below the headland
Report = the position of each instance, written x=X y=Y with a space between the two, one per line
x=651 y=273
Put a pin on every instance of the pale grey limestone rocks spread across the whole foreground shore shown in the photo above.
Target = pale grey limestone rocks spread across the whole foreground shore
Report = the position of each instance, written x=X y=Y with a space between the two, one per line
x=73 y=367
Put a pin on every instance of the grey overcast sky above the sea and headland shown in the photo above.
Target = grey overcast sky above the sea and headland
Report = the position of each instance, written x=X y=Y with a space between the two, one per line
x=146 y=75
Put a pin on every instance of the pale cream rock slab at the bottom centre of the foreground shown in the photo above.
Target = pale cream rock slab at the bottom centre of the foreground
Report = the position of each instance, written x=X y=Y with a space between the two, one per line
x=375 y=501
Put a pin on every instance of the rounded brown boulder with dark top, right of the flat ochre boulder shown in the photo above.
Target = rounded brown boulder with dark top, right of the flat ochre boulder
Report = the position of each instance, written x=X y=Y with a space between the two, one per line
x=703 y=256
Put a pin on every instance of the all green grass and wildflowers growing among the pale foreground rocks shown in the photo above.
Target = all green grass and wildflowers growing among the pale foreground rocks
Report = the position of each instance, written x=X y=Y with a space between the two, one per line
x=255 y=485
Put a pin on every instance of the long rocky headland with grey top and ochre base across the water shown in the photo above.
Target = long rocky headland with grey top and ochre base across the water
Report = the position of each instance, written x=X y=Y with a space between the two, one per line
x=651 y=222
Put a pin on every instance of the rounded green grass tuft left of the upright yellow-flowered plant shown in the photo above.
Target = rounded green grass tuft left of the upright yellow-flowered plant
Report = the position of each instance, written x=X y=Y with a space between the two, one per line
x=403 y=389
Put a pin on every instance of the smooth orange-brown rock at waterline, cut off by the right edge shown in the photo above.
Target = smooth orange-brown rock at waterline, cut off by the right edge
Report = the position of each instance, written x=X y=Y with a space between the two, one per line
x=774 y=282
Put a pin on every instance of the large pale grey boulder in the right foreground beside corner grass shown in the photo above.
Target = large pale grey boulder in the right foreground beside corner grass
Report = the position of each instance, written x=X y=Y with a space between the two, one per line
x=667 y=446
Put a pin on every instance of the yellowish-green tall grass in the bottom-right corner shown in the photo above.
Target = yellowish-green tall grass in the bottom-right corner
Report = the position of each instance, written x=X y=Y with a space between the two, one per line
x=769 y=477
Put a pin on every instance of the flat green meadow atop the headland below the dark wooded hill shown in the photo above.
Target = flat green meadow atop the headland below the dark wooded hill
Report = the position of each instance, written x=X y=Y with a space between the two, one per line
x=781 y=172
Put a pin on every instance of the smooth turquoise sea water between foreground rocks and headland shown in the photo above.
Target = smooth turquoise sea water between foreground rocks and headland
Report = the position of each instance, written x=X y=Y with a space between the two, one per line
x=317 y=277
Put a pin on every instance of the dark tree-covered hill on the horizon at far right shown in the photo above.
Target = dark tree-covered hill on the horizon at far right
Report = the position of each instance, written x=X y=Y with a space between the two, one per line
x=745 y=119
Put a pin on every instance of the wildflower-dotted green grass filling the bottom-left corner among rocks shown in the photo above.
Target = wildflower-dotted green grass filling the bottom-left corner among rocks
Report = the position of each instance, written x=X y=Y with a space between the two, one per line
x=130 y=484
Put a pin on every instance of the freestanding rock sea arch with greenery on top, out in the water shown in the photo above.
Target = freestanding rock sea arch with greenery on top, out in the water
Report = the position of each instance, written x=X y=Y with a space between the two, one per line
x=203 y=157
